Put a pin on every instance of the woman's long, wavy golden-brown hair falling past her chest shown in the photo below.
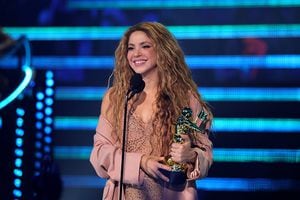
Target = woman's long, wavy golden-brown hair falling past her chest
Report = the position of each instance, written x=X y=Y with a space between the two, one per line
x=175 y=81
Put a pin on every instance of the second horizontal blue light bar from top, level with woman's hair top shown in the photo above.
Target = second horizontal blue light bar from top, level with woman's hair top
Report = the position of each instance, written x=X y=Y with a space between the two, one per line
x=227 y=31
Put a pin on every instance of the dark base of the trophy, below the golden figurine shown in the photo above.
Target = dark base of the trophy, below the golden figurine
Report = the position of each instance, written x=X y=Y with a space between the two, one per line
x=177 y=179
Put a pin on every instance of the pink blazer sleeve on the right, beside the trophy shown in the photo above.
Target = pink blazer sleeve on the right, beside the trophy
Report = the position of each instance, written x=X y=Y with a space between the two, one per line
x=202 y=145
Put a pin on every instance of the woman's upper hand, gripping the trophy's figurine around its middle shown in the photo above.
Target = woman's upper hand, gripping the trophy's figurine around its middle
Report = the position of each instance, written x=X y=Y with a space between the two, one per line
x=183 y=152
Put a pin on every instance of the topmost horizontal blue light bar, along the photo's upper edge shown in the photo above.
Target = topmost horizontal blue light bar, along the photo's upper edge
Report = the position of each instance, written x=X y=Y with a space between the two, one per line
x=176 y=4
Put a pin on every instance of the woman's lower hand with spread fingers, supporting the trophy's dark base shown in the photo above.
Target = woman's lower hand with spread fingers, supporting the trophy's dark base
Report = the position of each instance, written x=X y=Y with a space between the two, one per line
x=151 y=165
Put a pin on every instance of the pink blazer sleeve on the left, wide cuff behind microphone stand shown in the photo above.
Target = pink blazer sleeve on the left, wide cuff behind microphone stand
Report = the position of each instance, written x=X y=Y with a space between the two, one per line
x=106 y=157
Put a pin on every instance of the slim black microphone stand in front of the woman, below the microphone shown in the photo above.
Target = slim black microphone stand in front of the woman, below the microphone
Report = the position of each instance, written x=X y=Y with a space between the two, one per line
x=127 y=98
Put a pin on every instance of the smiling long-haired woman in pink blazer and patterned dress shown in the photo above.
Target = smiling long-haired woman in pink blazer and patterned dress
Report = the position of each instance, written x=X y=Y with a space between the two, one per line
x=149 y=49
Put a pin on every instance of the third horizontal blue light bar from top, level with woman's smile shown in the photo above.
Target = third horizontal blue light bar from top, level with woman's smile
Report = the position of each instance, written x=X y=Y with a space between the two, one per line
x=193 y=61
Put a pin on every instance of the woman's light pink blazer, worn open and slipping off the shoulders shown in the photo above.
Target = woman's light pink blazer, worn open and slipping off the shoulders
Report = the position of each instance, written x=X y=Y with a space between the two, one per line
x=106 y=160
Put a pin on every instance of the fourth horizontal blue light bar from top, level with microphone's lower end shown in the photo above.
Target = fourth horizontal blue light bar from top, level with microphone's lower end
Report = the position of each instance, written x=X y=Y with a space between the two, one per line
x=209 y=93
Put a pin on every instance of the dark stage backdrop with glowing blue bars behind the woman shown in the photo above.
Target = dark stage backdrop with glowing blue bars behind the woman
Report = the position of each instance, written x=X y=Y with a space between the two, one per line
x=255 y=157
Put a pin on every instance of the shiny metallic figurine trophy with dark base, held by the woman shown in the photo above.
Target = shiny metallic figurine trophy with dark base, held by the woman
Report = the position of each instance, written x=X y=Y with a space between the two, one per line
x=184 y=125
